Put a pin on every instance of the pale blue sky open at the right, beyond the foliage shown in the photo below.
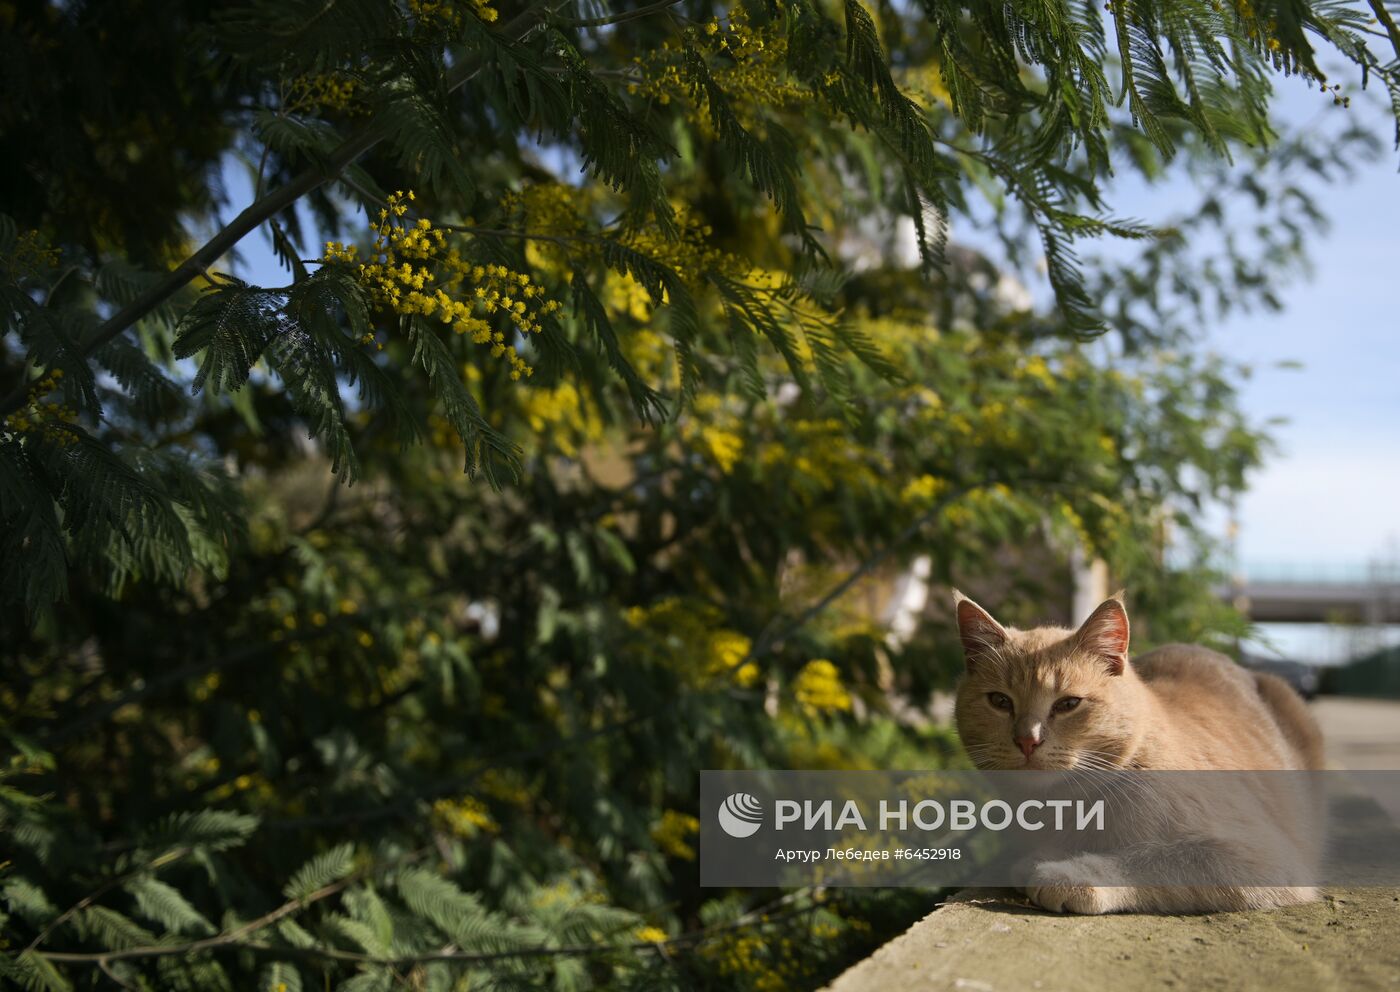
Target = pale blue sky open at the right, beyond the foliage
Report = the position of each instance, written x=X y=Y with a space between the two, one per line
x=1331 y=493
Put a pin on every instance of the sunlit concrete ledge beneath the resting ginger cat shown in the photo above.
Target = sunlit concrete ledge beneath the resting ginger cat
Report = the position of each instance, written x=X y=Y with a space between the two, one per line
x=995 y=941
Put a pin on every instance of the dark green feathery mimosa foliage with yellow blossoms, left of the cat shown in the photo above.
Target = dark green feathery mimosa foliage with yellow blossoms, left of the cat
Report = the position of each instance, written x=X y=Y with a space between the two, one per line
x=267 y=730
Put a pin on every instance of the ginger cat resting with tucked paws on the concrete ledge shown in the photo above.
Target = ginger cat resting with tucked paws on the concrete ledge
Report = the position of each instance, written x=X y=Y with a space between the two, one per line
x=1053 y=699
